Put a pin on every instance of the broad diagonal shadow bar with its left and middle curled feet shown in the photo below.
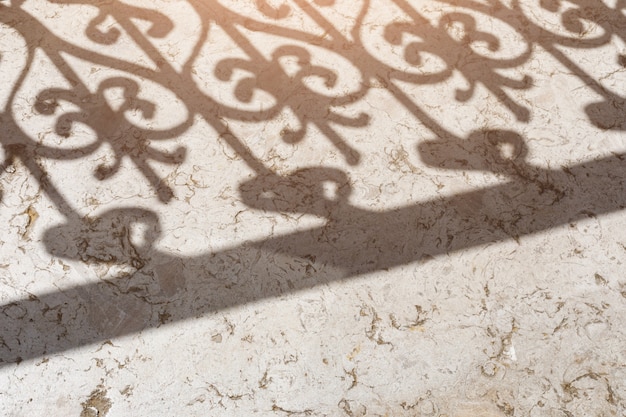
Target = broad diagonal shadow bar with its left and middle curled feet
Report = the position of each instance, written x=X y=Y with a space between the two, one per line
x=163 y=288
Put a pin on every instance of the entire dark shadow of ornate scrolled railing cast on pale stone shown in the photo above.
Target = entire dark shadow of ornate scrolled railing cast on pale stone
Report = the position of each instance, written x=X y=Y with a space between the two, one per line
x=352 y=240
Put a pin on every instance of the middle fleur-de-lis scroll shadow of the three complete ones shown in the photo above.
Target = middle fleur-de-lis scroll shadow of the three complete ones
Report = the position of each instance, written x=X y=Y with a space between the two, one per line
x=292 y=92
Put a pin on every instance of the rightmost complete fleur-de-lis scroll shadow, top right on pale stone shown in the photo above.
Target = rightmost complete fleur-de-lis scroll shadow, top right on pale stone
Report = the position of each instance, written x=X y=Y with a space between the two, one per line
x=458 y=54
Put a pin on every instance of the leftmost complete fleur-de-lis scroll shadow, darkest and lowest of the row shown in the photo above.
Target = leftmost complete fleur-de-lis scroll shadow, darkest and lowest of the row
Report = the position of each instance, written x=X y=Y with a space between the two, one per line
x=112 y=127
